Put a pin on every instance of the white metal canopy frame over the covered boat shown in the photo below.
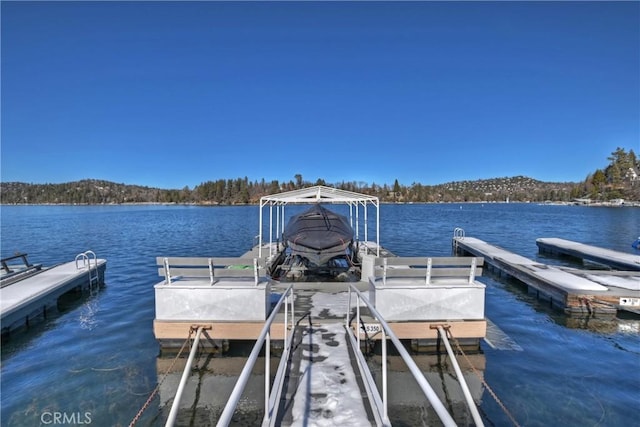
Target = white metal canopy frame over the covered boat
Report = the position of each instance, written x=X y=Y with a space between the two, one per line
x=319 y=194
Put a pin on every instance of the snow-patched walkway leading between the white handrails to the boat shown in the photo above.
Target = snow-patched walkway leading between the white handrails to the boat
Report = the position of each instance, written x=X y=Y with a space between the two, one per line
x=322 y=384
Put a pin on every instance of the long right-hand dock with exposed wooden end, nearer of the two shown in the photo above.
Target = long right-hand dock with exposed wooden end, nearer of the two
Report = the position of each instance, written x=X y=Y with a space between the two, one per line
x=577 y=292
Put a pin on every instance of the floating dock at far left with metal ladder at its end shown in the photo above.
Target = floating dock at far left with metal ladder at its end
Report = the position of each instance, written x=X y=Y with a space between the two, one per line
x=30 y=292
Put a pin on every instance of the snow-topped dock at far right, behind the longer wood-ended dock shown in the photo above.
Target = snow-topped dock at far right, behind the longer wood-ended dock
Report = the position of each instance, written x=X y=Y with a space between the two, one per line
x=611 y=258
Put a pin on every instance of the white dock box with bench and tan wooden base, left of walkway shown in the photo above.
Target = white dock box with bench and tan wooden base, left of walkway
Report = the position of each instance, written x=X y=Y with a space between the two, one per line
x=231 y=297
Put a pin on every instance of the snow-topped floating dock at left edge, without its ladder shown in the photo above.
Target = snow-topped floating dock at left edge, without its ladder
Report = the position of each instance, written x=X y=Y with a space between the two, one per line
x=32 y=297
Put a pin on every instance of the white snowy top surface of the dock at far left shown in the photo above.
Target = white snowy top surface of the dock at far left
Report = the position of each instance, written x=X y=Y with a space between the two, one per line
x=31 y=289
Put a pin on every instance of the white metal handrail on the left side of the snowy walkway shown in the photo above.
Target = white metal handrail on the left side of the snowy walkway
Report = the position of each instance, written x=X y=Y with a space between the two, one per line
x=264 y=338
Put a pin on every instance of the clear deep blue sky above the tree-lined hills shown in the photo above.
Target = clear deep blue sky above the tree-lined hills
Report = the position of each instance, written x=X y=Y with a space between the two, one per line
x=174 y=94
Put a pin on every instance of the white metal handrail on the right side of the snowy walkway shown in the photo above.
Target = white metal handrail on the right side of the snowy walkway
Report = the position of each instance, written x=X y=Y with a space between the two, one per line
x=381 y=402
